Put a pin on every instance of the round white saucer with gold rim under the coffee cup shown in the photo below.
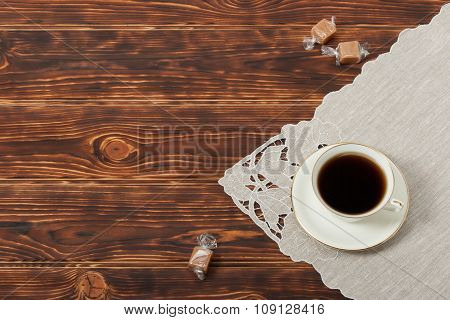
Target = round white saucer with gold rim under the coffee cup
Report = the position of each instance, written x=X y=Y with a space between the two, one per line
x=332 y=230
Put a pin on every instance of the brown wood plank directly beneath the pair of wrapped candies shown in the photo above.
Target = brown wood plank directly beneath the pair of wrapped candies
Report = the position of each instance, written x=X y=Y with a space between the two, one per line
x=257 y=64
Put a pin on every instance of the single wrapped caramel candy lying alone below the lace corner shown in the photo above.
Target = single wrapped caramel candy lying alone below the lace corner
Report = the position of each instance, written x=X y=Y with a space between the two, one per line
x=202 y=254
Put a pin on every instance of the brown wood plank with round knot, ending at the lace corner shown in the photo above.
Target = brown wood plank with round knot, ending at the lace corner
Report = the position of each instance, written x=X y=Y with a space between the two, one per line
x=169 y=141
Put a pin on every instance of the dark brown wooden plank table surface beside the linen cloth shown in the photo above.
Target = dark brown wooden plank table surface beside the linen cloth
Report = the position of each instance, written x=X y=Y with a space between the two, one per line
x=118 y=118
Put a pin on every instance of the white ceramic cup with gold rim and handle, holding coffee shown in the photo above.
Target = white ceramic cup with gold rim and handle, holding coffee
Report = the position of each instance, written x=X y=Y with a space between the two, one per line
x=386 y=203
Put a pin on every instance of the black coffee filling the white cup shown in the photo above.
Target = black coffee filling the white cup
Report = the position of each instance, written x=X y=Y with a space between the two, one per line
x=351 y=183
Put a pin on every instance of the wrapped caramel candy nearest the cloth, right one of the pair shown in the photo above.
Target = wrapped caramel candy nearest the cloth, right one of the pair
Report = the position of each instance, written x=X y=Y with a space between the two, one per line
x=347 y=52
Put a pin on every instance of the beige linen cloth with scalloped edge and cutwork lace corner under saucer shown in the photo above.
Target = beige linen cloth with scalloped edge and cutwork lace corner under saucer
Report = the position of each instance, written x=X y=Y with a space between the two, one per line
x=400 y=104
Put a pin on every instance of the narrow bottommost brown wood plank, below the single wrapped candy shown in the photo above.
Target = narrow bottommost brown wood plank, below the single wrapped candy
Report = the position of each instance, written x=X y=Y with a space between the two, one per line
x=297 y=282
